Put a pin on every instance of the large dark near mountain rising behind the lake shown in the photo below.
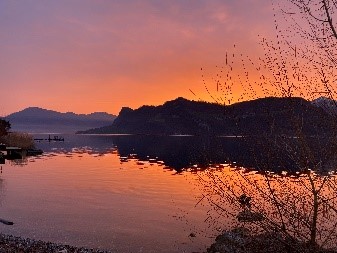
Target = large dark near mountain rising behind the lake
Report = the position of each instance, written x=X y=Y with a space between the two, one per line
x=261 y=116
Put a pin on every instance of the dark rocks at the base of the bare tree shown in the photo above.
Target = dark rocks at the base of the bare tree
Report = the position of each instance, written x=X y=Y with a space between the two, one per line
x=240 y=240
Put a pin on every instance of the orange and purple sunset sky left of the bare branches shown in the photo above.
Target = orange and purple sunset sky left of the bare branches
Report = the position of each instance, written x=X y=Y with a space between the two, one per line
x=85 y=56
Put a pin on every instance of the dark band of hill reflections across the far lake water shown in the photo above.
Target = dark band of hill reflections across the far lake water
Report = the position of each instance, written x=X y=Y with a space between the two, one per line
x=257 y=153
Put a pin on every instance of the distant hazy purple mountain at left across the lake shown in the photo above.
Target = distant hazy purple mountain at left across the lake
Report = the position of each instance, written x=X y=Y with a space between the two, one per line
x=38 y=120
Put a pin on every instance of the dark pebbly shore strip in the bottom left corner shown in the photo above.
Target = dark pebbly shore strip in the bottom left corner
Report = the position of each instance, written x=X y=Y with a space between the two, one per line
x=12 y=244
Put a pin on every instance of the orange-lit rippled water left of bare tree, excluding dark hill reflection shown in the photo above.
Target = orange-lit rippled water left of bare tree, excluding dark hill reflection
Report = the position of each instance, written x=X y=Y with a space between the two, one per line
x=84 y=192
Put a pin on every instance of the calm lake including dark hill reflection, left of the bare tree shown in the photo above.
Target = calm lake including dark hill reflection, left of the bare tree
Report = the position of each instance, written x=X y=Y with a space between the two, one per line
x=126 y=193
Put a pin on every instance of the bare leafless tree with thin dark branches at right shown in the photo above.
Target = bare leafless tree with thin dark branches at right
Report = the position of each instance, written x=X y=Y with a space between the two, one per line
x=298 y=208
